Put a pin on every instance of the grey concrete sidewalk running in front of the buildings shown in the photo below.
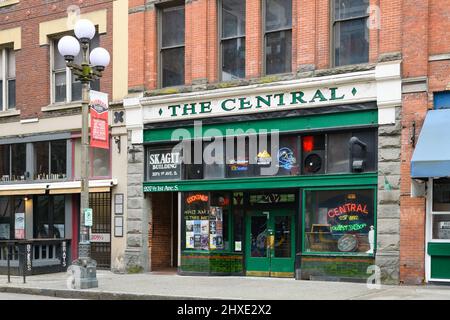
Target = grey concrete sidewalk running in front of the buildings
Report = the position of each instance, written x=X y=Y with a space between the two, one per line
x=171 y=286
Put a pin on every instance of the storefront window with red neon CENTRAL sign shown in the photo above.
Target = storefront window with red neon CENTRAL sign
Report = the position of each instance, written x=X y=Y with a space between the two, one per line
x=339 y=221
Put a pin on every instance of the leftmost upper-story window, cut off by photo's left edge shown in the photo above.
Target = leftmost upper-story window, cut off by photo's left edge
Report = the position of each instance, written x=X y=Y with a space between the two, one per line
x=7 y=79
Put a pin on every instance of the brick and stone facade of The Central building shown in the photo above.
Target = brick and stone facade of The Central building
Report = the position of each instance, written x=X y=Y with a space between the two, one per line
x=311 y=30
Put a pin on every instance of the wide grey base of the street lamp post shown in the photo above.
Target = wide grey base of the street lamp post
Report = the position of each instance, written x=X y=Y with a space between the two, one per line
x=84 y=269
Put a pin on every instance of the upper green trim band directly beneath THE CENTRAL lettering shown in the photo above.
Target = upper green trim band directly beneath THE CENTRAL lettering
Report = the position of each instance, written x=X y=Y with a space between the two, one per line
x=288 y=124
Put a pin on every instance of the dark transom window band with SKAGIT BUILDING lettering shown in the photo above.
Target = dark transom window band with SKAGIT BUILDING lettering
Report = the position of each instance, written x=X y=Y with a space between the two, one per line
x=252 y=155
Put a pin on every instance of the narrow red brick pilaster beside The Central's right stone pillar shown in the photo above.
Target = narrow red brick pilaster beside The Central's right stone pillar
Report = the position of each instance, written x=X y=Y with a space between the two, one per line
x=412 y=216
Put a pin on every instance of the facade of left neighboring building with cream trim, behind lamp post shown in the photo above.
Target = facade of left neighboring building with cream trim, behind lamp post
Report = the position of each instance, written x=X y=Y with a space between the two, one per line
x=41 y=118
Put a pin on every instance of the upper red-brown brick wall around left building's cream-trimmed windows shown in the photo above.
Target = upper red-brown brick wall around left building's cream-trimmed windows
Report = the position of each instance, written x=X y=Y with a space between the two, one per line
x=33 y=60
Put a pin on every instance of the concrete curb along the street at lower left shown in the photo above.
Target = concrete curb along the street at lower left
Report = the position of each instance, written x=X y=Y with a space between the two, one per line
x=95 y=295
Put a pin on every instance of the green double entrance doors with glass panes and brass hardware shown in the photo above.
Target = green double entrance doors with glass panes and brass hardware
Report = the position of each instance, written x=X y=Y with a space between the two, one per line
x=270 y=243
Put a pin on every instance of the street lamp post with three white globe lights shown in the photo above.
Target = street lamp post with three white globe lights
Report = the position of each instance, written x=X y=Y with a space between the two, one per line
x=90 y=69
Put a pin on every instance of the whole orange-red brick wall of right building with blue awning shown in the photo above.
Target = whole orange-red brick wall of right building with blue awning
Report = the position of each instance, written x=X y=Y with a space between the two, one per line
x=424 y=33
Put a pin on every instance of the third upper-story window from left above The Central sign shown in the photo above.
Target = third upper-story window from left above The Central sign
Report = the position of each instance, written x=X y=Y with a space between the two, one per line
x=278 y=36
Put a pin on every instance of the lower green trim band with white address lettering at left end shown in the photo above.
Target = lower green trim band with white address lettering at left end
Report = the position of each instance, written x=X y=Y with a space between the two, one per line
x=336 y=180
